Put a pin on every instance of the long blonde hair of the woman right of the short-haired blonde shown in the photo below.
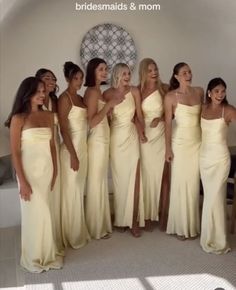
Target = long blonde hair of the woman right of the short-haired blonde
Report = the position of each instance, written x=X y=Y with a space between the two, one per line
x=143 y=71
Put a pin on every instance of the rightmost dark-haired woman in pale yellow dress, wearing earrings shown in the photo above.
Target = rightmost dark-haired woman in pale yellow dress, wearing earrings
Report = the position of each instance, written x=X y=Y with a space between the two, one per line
x=215 y=166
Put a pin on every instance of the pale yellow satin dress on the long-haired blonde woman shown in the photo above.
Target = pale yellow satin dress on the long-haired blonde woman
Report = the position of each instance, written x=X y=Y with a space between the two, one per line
x=152 y=155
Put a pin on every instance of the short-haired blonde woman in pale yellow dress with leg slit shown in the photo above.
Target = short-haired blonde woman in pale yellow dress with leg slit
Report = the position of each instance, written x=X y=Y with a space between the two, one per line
x=125 y=152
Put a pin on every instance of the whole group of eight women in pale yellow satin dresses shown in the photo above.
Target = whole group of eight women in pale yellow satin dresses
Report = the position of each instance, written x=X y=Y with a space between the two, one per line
x=142 y=131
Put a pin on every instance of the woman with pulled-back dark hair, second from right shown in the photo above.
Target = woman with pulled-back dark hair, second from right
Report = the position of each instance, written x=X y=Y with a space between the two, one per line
x=182 y=150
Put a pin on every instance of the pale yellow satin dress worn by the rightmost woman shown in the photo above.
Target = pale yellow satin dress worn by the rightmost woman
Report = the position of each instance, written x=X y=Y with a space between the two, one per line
x=214 y=168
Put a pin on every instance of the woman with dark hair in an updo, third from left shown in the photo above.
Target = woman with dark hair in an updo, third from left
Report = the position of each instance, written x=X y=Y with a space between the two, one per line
x=73 y=123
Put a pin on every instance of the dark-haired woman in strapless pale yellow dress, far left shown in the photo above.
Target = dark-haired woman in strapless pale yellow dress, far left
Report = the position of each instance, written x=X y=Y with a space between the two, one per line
x=34 y=159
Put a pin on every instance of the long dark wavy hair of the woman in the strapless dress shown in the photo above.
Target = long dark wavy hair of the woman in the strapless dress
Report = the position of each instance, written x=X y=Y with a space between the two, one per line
x=27 y=89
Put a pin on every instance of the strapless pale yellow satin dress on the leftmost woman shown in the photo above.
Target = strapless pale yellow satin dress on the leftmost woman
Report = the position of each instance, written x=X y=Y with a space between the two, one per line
x=38 y=248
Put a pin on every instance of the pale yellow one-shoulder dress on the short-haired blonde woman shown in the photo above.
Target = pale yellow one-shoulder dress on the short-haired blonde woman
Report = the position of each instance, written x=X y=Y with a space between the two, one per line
x=125 y=155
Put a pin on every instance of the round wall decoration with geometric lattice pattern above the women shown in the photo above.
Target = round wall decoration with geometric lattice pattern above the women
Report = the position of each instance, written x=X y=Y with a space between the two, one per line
x=109 y=42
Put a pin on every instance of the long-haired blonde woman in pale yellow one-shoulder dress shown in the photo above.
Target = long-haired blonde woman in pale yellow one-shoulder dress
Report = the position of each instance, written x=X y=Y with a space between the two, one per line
x=153 y=151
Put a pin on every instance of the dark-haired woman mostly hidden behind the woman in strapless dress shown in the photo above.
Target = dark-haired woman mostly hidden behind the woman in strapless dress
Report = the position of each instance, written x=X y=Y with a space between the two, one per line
x=50 y=104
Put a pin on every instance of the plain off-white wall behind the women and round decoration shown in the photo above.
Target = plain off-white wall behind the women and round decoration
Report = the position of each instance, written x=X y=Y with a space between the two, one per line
x=47 y=33
